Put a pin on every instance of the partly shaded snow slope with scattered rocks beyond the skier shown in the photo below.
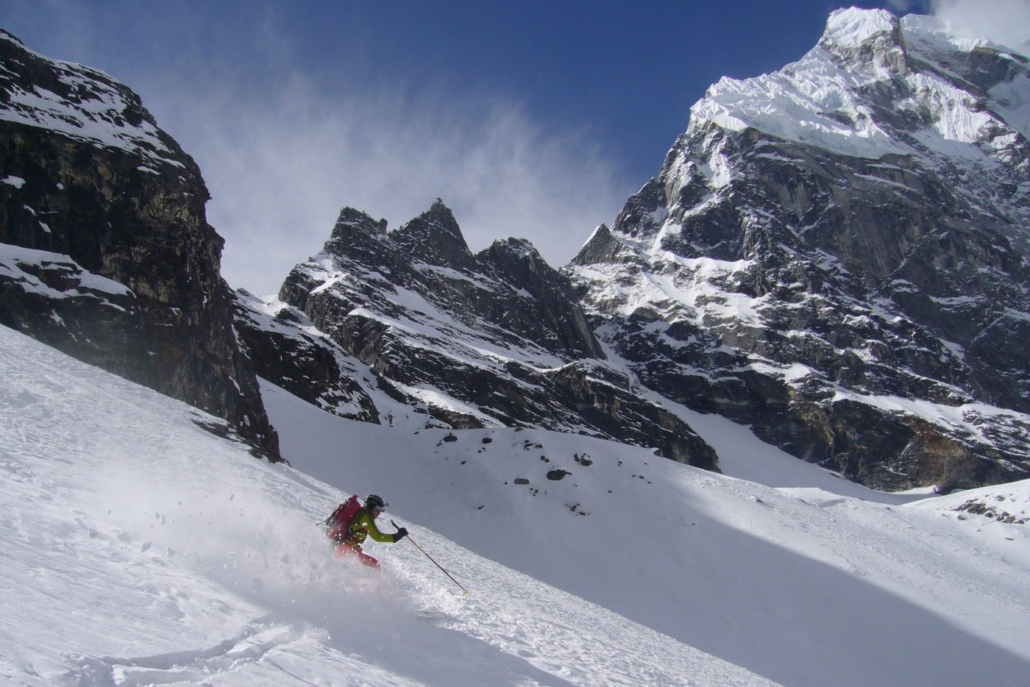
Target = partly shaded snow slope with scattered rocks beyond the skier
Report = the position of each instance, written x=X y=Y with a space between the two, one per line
x=800 y=585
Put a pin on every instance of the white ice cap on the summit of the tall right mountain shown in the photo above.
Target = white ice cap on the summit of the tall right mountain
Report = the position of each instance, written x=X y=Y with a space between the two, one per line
x=823 y=99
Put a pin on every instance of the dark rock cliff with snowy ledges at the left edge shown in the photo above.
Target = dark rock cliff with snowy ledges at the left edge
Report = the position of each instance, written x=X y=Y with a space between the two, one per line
x=105 y=249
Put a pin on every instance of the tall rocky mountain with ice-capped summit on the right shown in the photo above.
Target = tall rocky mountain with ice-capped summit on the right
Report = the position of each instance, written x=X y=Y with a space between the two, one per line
x=838 y=254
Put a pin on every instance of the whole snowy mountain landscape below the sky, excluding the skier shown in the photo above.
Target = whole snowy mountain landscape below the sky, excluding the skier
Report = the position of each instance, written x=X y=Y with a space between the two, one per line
x=834 y=255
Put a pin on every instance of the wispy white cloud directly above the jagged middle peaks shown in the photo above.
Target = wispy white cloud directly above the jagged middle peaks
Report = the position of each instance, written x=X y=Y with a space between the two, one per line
x=280 y=169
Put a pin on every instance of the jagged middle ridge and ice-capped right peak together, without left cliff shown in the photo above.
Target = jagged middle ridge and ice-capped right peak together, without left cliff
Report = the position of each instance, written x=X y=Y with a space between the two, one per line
x=836 y=255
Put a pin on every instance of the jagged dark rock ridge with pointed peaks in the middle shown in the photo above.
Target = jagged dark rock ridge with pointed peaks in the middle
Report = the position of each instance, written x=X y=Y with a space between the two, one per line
x=494 y=338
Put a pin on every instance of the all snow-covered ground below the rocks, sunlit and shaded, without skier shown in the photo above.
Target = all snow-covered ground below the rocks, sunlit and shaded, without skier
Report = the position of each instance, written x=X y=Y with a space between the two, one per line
x=139 y=547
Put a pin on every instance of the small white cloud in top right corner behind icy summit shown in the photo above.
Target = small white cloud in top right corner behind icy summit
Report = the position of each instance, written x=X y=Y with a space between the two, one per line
x=1005 y=22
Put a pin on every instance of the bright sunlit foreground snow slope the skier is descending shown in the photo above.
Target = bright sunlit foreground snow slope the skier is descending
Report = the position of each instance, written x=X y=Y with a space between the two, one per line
x=138 y=547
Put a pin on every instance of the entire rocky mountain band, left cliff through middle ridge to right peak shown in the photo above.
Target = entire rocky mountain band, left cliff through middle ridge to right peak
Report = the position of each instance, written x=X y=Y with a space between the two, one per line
x=836 y=255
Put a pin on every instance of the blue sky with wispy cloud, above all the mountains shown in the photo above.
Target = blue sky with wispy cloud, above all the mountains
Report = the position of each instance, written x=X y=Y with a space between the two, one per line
x=529 y=119
